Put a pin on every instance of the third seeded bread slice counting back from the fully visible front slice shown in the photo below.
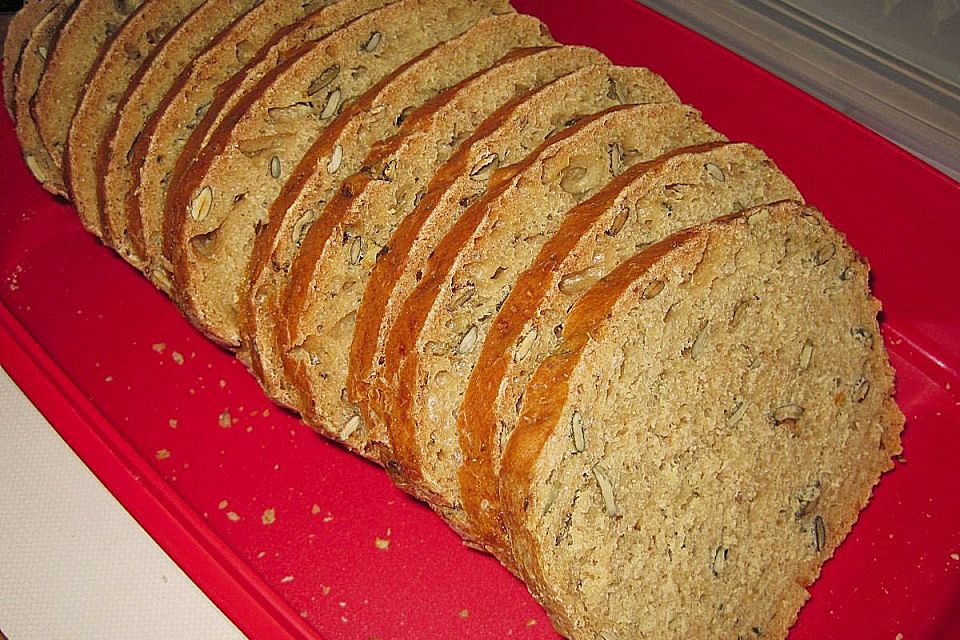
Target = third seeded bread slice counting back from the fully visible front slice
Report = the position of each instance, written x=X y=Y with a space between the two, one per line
x=434 y=342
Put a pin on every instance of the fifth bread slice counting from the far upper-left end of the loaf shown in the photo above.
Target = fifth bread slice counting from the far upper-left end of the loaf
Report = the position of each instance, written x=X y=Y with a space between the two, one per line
x=141 y=98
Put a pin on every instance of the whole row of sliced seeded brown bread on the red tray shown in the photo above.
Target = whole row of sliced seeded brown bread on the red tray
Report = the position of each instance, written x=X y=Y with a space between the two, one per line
x=605 y=343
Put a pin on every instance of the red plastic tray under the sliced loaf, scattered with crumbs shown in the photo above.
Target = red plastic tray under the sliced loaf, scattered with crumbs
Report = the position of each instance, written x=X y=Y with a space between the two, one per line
x=295 y=538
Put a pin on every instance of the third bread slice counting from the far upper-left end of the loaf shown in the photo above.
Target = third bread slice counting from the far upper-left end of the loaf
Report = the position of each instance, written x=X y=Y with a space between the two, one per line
x=91 y=25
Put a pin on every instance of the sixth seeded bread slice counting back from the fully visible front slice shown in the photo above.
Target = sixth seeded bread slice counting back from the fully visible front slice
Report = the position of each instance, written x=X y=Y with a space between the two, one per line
x=376 y=115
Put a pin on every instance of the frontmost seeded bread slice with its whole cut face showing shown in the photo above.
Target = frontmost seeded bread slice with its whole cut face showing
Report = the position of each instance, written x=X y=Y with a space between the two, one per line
x=660 y=484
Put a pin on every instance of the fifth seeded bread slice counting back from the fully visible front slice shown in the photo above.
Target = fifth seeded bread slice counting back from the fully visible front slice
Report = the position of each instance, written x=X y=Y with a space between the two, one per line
x=330 y=272
